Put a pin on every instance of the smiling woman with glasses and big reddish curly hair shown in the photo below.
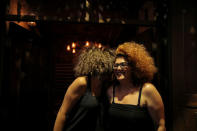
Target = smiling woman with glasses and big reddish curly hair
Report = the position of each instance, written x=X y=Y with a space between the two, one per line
x=135 y=103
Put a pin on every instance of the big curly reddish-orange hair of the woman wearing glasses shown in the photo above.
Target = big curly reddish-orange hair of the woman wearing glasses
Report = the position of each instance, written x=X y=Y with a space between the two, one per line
x=142 y=64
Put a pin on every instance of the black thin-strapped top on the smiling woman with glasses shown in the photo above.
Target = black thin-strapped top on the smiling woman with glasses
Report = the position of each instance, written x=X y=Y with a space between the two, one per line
x=125 y=117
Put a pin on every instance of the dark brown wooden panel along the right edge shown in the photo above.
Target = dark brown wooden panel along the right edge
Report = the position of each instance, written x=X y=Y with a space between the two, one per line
x=184 y=65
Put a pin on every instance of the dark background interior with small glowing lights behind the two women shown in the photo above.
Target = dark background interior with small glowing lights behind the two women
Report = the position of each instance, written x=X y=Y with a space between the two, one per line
x=39 y=39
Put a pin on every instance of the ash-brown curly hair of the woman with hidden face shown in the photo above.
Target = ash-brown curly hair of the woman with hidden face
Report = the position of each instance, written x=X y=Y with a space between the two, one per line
x=94 y=61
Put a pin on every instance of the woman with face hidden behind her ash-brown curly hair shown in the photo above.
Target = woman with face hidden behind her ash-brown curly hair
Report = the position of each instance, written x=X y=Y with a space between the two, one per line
x=81 y=107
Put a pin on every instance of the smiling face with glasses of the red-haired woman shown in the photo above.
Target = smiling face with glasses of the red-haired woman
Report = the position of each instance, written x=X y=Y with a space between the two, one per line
x=122 y=69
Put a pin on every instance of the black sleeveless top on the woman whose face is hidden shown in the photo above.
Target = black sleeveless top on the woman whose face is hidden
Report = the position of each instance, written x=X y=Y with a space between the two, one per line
x=85 y=115
